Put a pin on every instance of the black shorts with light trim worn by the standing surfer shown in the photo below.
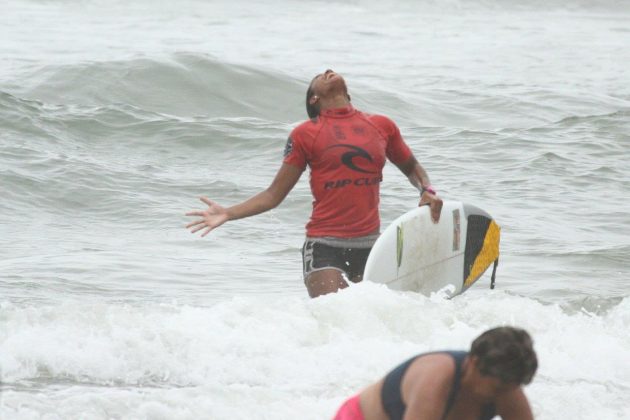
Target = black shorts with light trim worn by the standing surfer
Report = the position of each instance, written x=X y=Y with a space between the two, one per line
x=318 y=256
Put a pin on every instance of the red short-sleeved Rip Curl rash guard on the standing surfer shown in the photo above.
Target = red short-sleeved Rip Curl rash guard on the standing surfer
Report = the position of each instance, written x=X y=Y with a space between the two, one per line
x=346 y=151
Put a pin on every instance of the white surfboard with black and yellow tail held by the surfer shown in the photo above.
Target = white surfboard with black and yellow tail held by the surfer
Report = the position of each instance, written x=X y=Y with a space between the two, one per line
x=415 y=254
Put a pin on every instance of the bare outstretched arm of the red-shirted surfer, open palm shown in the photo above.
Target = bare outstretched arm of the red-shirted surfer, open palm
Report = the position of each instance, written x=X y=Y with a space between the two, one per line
x=215 y=215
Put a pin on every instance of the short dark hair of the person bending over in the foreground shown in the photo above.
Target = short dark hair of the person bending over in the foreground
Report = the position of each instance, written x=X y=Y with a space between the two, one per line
x=506 y=353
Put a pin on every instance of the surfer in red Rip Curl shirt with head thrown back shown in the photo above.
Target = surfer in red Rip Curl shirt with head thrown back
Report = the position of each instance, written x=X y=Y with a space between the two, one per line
x=346 y=151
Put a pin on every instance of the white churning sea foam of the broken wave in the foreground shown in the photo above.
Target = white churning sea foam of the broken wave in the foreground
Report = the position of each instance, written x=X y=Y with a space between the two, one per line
x=288 y=357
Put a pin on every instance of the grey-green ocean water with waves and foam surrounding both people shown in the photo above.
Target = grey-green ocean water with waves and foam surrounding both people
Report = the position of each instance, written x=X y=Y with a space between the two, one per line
x=116 y=116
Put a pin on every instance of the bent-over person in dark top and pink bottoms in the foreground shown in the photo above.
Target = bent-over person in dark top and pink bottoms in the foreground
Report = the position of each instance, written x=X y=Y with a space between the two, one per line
x=480 y=384
